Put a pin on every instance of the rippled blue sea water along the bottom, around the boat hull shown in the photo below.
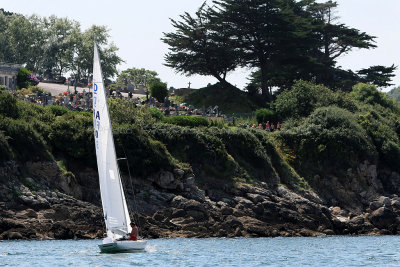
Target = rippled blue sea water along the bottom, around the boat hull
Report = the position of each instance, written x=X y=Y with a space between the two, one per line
x=301 y=251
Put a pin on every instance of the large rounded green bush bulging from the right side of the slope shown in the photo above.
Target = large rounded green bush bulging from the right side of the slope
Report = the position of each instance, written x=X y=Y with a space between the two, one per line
x=330 y=136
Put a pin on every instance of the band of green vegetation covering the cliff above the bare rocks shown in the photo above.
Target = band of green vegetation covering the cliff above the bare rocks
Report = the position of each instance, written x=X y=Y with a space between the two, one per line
x=324 y=132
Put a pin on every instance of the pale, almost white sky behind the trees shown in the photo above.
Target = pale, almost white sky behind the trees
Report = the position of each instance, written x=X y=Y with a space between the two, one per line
x=136 y=27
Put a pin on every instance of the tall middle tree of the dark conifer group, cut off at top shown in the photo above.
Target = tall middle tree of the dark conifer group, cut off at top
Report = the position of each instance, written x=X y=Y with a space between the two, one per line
x=274 y=36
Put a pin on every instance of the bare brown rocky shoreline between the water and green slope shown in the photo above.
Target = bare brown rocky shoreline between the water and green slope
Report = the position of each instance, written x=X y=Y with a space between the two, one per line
x=52 y=204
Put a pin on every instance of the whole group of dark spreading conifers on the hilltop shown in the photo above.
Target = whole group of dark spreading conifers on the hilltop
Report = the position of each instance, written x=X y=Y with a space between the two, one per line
x=281 y=40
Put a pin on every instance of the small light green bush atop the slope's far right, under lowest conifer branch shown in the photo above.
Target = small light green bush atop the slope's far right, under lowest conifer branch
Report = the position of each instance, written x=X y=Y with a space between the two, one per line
x=368 y=94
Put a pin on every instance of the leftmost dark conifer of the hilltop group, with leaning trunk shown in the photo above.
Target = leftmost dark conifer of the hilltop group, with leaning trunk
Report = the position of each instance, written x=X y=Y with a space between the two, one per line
x=201 y=45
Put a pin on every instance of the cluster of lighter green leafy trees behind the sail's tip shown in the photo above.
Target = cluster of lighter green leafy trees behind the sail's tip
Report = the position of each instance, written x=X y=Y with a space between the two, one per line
x=53 y=46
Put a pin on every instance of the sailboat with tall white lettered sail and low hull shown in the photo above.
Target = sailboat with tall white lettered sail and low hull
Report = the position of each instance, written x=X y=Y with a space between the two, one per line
x=115 y=209
